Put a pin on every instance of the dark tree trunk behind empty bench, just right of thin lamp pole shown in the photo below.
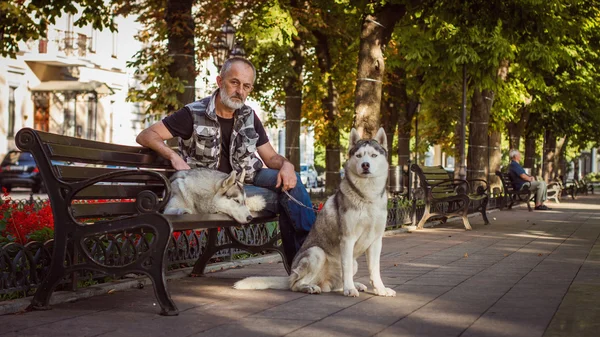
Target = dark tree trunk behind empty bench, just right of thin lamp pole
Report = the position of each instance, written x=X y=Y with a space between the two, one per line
x=477 y=156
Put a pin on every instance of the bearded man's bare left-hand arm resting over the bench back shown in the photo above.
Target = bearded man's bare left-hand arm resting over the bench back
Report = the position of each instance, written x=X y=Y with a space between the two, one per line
x=154 y=138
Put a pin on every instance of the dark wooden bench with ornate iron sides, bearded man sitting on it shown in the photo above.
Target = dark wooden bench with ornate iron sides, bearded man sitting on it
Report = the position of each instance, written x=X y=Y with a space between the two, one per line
x=135 y=182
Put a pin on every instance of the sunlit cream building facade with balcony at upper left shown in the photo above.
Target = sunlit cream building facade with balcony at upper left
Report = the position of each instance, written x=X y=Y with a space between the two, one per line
x=74 y=83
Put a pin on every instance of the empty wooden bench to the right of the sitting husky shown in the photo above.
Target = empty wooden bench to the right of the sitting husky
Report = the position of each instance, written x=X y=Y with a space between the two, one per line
x=445 y=196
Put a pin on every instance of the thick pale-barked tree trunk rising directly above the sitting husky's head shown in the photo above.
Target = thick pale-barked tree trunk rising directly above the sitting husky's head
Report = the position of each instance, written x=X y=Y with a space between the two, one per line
x=375 y=32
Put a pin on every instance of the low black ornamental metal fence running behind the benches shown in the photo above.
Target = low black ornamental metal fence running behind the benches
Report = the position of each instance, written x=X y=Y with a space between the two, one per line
x=23 y=267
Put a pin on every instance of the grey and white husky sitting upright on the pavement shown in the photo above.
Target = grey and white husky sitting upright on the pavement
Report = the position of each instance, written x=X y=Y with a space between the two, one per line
x=351 y=223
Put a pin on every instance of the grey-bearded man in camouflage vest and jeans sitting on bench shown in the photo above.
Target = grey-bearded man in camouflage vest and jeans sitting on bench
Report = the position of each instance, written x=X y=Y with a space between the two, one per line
x=220 y=132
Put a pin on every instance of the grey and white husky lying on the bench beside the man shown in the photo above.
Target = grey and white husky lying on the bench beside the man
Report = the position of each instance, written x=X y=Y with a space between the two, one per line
x=203 y=190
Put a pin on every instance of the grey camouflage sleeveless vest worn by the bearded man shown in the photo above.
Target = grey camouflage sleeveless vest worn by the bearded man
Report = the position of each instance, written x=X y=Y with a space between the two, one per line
x=203 y=149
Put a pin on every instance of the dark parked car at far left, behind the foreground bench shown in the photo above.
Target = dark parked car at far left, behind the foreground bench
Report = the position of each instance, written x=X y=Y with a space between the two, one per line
x=18 y=169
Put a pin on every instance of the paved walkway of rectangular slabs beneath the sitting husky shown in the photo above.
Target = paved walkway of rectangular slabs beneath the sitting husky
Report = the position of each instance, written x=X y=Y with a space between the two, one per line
x=527 y=274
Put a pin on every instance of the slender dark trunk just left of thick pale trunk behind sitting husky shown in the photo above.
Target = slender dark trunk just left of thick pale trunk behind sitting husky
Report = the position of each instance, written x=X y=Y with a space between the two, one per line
x=330 y=106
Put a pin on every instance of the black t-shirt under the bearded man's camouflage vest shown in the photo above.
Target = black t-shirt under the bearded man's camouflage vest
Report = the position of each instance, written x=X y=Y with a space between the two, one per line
x=181 y=124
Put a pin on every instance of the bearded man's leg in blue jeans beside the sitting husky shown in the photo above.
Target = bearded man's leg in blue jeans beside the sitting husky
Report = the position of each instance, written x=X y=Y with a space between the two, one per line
x=295 y=221
